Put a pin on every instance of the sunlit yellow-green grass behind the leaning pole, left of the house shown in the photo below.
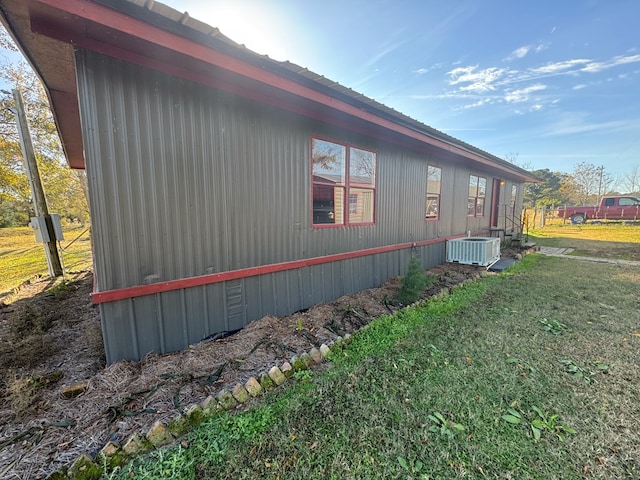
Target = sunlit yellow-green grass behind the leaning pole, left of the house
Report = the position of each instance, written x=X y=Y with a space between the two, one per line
x=22 y=258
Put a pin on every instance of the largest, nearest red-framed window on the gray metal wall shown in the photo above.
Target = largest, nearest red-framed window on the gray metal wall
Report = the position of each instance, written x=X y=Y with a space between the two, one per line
x=342 y=172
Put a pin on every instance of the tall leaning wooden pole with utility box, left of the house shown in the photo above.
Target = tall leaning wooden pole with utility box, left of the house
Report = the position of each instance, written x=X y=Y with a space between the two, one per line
x=39 y=200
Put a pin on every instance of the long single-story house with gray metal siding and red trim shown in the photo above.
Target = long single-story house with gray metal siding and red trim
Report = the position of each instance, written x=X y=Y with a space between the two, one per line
x=225 y=186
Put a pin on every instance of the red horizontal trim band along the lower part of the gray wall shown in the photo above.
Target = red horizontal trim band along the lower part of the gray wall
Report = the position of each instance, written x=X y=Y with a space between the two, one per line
x=141 y=290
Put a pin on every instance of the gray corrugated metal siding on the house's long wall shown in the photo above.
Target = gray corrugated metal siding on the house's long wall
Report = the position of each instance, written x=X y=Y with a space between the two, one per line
x=186 y=180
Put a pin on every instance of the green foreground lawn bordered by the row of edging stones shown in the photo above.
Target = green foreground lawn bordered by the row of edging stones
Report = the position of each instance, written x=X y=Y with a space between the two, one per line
x=467 y=386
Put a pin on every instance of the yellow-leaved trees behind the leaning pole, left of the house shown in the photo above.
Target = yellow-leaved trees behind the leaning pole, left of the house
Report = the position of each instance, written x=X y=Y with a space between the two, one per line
x=64 y=188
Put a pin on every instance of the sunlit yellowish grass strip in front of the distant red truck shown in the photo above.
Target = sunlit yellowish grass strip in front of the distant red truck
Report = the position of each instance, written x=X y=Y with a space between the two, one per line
x=607 y=240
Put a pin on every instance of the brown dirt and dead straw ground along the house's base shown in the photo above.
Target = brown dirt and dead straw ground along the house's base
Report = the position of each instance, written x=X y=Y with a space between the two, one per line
x=50 y=339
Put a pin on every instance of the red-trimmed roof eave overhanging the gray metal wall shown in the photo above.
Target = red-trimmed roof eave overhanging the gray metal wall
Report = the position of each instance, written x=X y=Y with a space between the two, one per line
x=147 y=36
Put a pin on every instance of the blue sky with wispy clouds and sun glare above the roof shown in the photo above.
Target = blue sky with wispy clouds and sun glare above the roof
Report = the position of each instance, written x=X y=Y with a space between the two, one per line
x=553 y=82
